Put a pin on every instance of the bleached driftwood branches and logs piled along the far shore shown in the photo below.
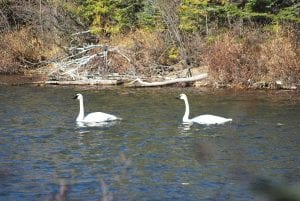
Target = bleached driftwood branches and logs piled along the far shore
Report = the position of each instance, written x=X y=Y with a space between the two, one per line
x=91 y=65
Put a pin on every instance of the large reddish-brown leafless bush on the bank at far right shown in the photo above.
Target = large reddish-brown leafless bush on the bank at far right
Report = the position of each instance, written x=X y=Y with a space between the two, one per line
x=257 y=57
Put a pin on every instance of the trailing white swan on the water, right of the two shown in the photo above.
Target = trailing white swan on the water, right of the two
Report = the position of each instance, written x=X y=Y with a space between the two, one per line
x=202 y=119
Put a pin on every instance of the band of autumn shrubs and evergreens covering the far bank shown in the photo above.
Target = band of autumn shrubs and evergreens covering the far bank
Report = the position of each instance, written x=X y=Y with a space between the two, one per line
x=245 y=43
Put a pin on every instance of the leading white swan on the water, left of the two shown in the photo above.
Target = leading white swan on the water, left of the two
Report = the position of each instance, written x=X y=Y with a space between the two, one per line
x=92 y=117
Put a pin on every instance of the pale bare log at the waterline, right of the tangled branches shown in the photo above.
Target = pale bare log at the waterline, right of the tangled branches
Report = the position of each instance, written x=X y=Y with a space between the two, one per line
x=139 y=82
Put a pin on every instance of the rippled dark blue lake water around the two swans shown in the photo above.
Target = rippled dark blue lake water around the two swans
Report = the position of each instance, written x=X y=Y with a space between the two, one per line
x=150 y=154
